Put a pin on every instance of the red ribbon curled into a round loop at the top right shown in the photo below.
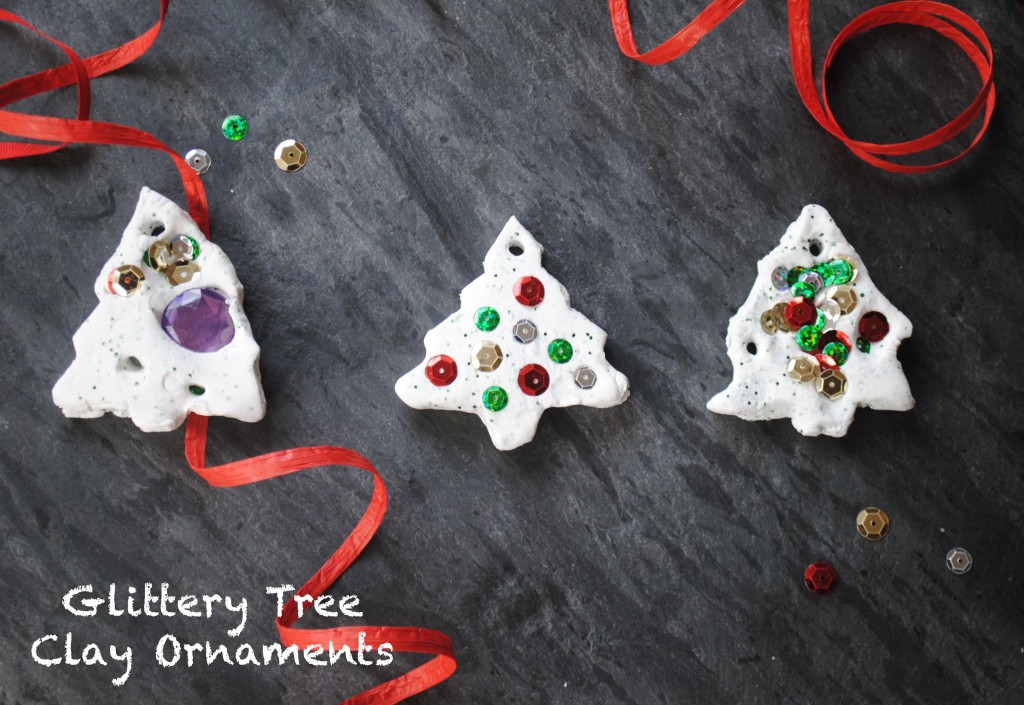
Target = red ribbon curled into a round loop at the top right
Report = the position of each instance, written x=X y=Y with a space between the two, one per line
x=951 y=23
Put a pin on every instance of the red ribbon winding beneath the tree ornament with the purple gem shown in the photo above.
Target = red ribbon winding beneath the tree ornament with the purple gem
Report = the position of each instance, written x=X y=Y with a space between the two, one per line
x=65 y=133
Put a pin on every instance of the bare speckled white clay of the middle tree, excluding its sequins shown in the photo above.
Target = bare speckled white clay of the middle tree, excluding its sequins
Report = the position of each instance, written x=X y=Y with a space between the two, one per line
x=457 y=338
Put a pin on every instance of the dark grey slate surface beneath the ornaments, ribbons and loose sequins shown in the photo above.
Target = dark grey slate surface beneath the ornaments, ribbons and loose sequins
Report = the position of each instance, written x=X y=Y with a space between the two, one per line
x=648 y=554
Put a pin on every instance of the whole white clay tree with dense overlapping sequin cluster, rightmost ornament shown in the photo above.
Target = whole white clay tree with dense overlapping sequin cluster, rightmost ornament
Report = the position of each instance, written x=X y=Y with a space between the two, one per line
x=816 y=339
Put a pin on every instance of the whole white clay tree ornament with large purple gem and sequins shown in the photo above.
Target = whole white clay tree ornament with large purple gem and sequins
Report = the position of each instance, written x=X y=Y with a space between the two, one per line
x=169 y=336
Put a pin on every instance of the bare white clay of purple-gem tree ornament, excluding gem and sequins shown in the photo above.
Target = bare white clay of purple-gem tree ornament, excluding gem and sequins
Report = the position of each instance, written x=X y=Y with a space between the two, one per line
x=123 y=330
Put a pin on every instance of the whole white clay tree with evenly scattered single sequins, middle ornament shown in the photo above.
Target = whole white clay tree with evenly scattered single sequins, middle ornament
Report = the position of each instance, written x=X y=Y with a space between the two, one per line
x=516 y=349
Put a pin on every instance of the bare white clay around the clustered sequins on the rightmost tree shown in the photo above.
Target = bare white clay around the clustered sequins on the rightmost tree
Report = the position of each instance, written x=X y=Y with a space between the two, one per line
x=761 y=388
